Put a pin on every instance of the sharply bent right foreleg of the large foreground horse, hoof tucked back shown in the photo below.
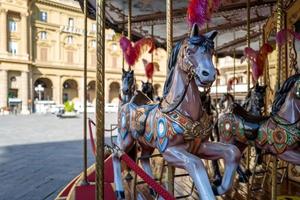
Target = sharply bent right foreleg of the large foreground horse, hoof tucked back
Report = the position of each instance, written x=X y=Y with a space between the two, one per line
x=231 y=156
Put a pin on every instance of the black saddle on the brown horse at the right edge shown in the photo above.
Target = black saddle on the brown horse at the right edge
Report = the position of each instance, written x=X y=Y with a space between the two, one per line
x=251 y=122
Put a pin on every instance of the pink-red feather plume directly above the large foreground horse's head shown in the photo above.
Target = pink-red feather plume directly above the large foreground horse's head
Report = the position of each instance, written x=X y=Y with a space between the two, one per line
x=200 y=11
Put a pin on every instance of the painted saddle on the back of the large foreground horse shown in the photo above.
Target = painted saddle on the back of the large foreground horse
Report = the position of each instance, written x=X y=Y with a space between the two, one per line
x=140 y=106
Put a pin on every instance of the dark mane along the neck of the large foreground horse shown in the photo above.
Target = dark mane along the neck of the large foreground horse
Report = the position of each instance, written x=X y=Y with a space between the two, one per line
x=171 y=66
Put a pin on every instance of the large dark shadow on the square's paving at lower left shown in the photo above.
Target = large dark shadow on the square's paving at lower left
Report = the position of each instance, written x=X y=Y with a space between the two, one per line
x=39 y=171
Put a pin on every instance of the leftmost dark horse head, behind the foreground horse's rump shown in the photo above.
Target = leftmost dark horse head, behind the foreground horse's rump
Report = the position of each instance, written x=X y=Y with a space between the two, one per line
x=128 y=82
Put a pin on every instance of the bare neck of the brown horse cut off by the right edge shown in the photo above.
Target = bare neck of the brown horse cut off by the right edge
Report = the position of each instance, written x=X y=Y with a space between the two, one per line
x=290 y=110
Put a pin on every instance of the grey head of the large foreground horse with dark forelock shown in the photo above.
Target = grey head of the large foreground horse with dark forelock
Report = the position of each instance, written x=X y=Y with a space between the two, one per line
x=197 y=57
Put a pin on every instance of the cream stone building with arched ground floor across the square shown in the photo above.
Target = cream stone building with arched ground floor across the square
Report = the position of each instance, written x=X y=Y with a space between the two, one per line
x=42 y=55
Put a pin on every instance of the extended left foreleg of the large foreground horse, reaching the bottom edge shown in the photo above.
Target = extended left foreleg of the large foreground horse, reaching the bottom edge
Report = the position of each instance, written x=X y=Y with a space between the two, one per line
x=178 y=156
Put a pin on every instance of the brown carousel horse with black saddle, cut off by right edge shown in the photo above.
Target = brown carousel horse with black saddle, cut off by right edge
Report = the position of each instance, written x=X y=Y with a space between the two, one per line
x=278 y=134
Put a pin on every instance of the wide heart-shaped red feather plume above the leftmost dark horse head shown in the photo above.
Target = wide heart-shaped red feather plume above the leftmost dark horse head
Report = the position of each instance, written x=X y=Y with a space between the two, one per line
x=133 y=52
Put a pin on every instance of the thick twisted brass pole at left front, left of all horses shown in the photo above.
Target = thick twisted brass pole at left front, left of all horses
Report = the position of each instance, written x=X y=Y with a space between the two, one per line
x=100 y=99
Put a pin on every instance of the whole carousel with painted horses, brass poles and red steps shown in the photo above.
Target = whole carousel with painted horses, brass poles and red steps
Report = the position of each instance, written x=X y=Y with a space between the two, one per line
x=193 y=142
